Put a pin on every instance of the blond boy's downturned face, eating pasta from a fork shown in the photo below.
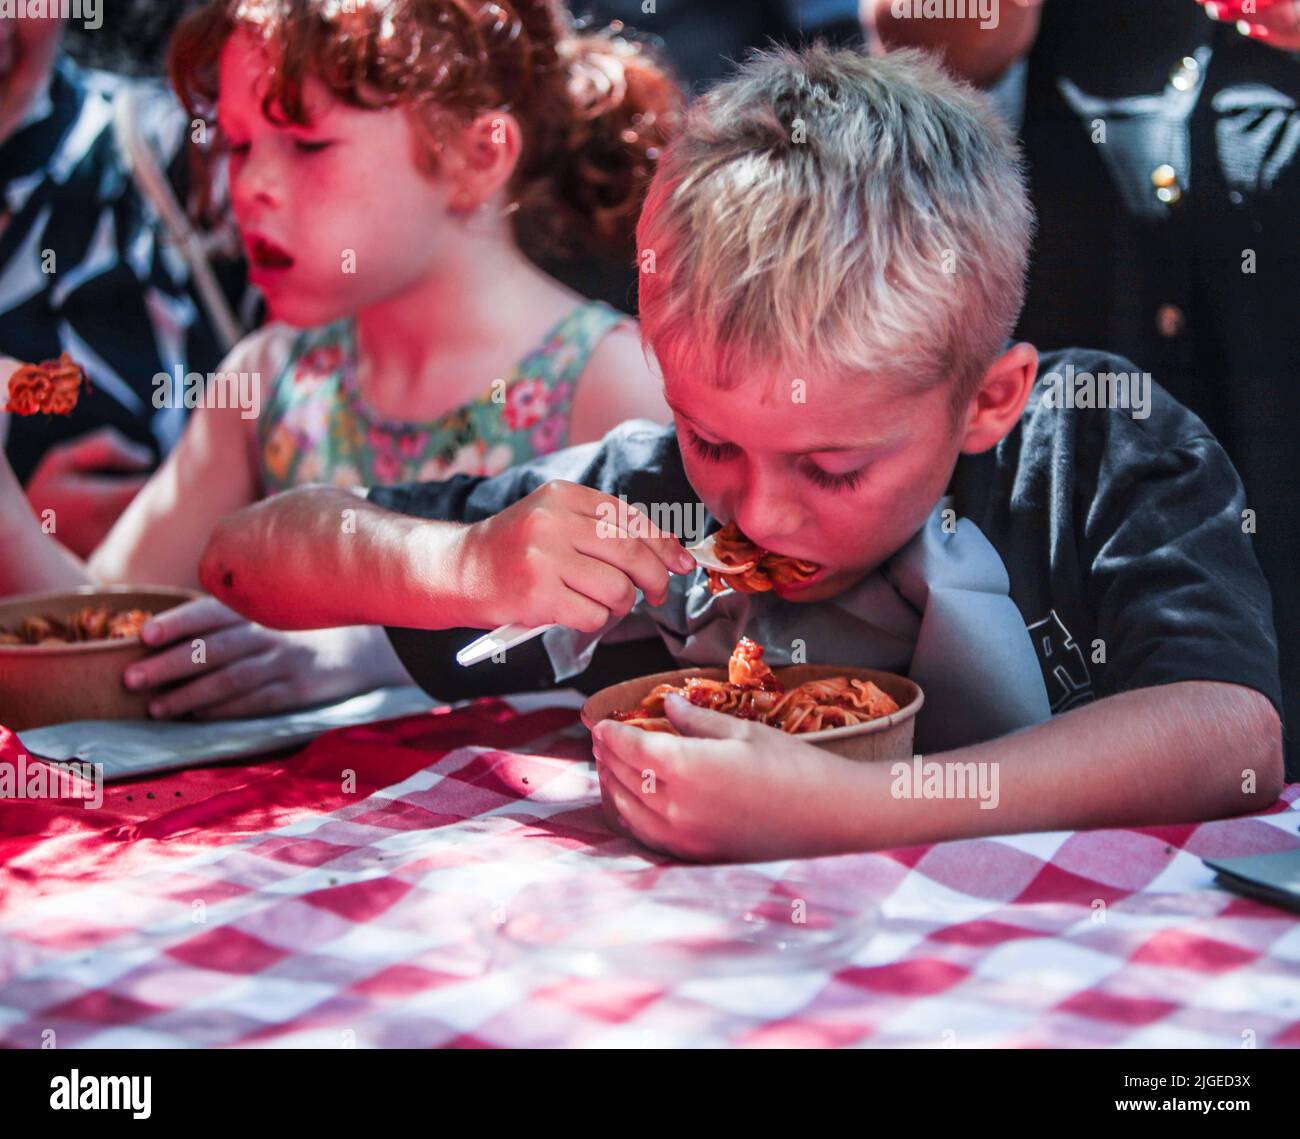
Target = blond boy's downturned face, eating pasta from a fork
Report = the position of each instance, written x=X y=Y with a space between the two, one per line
x=843 y=479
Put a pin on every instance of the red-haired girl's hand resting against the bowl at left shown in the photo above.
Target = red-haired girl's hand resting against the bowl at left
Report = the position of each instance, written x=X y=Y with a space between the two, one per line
x=226 y=668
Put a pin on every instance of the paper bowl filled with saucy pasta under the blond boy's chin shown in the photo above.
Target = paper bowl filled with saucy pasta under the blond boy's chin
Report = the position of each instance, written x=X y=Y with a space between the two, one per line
x=857 y=713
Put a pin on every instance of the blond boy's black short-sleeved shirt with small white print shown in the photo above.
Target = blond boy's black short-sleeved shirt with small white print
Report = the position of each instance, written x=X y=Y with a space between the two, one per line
x=1124 y=529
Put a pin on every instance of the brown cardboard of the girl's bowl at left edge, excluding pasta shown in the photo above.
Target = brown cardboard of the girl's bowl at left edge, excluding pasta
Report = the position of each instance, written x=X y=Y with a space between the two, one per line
x=53 y=685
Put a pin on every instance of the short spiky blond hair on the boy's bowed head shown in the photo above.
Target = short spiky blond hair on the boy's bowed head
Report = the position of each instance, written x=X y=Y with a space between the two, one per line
x=825 y=214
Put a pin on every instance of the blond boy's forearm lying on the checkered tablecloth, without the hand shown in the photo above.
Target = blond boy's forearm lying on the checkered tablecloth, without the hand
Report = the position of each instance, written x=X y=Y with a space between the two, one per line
x=1171 y=755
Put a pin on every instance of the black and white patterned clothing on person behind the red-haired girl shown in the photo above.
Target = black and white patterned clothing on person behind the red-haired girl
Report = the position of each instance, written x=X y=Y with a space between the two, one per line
x=86 y=268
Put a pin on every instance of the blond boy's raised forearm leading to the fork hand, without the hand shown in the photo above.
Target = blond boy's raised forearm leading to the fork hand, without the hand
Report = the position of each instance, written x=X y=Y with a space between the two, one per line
x=322 y=557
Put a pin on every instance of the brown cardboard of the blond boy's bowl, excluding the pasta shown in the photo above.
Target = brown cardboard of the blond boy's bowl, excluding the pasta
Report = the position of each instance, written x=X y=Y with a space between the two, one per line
x=887 y=738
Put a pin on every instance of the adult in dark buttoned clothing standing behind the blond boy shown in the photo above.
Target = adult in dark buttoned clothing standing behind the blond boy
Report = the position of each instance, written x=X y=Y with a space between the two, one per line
x=1163 y=158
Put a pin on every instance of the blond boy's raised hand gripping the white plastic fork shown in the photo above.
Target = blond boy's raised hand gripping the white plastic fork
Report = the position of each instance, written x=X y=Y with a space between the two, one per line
x=566 y=555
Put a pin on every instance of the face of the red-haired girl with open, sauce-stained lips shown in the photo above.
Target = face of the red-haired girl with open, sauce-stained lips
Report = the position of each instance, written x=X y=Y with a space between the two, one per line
x=335 y=216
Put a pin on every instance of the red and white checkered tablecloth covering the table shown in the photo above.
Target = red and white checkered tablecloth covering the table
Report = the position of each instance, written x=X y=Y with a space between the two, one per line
x=480 y=900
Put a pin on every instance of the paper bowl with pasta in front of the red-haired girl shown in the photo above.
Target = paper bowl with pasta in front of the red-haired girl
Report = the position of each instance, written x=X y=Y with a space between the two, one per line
x=63 y=655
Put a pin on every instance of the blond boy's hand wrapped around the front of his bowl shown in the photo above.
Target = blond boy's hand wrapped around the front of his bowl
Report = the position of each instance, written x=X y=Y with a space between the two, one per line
x=731 y=791
